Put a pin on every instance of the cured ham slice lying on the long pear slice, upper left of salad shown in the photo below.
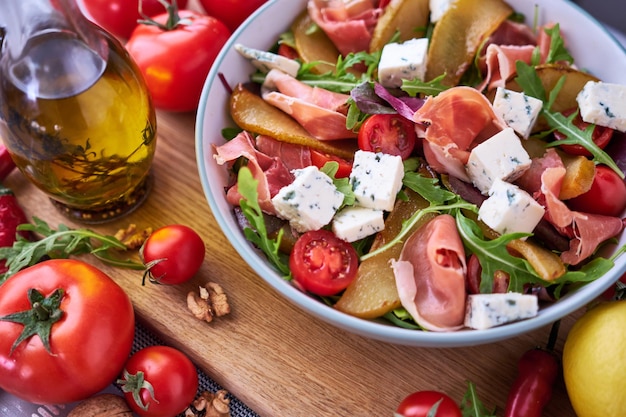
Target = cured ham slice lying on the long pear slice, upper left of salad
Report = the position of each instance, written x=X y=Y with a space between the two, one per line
x=317 y=110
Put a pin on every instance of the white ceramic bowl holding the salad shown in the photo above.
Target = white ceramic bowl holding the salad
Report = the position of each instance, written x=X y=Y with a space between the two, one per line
x=593 y=48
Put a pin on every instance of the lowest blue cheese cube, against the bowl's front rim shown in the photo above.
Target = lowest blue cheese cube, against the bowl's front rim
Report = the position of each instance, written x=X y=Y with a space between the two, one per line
x=483 y=311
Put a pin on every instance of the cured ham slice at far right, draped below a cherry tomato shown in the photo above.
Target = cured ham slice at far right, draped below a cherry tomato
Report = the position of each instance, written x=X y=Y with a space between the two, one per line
x=587 y=230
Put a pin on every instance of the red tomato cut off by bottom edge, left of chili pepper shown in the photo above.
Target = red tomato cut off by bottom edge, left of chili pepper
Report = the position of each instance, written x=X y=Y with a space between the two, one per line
x=420 y=403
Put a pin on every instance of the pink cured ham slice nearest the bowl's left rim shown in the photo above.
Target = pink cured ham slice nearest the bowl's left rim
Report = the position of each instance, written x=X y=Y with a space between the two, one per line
x=271 y=172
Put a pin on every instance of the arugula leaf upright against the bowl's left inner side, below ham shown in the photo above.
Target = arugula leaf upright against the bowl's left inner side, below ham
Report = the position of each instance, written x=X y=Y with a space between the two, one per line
x=250 y=208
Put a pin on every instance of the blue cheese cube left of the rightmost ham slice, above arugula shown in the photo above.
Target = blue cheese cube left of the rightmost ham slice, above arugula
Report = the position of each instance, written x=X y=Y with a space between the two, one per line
x=509 y=209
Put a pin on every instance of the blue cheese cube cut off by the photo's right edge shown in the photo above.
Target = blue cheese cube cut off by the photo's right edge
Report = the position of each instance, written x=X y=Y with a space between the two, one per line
x=603 y=104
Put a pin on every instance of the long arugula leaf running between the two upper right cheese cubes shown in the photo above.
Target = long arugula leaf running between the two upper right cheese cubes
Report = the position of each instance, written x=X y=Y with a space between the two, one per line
x=531 y=84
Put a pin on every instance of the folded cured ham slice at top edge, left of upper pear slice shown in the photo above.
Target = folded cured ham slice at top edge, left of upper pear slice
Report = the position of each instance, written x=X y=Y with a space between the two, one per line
x=349 y=24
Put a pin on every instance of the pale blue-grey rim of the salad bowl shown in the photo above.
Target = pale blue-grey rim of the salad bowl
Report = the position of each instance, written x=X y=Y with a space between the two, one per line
x=371 y=328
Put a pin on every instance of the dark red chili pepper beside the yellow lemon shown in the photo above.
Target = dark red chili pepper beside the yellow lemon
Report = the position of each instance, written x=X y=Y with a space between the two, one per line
x=537 y=372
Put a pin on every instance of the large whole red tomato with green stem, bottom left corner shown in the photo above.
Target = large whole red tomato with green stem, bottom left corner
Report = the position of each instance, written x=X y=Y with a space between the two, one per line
x=90 y=338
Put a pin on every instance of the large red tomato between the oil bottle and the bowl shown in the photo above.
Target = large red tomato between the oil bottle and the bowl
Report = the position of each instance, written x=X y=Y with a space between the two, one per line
x=176 y=61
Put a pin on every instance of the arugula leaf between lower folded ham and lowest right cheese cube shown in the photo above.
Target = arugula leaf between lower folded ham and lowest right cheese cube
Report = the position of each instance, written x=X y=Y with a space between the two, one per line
x=494 y=256
